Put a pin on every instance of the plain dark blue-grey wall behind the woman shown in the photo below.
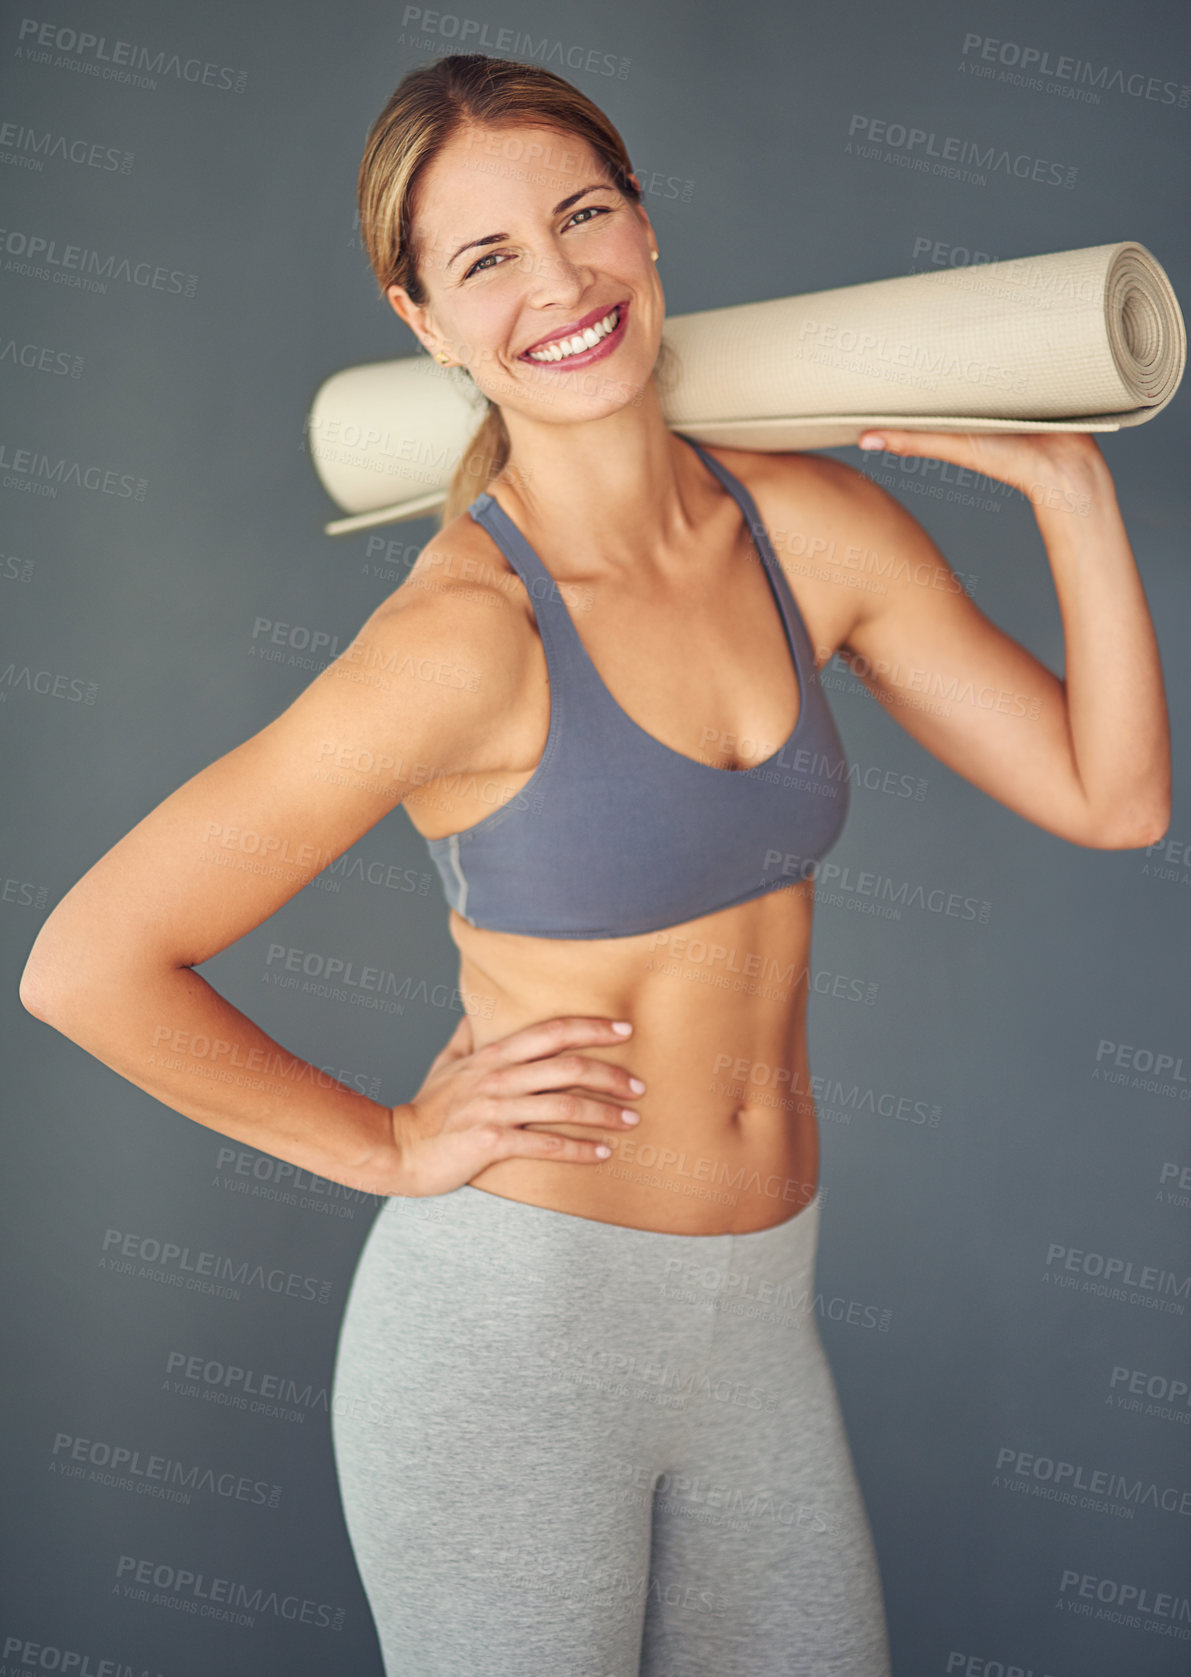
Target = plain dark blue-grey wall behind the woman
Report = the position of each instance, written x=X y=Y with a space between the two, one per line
x=944 y=1228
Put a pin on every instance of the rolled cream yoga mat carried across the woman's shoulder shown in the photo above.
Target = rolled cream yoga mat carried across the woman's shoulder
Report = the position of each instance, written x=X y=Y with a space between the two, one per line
x=1073 y=341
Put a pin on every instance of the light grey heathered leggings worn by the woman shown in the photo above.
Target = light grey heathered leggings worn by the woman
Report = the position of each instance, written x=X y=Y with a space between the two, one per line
x=576 y=1450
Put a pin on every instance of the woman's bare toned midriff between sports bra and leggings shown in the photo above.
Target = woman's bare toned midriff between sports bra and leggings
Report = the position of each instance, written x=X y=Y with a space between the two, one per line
x=729 y=1136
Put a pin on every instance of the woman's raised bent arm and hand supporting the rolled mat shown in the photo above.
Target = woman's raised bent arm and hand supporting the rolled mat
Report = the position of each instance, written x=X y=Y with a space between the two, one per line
x=1086 y=757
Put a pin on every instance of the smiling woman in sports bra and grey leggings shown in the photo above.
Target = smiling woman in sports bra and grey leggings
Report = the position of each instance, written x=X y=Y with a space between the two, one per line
x=583 y=1416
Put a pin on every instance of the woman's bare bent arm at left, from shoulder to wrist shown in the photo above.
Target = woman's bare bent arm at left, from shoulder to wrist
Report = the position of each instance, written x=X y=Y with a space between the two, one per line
x=422 y=692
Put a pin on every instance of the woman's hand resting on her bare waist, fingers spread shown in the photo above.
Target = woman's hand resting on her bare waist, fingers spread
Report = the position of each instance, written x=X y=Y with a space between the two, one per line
x=474 y=1103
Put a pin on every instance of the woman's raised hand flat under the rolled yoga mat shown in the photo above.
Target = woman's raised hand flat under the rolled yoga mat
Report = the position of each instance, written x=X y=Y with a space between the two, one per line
x=1032 y=462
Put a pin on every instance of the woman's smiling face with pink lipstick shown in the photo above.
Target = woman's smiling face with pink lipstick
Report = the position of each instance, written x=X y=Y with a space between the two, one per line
x=538 y=273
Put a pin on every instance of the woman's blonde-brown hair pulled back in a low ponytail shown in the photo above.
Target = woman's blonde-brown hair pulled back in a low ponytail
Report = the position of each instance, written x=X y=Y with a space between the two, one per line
x=425 y=112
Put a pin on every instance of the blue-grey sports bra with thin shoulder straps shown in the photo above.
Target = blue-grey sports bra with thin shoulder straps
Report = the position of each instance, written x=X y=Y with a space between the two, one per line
x=618 y=834
